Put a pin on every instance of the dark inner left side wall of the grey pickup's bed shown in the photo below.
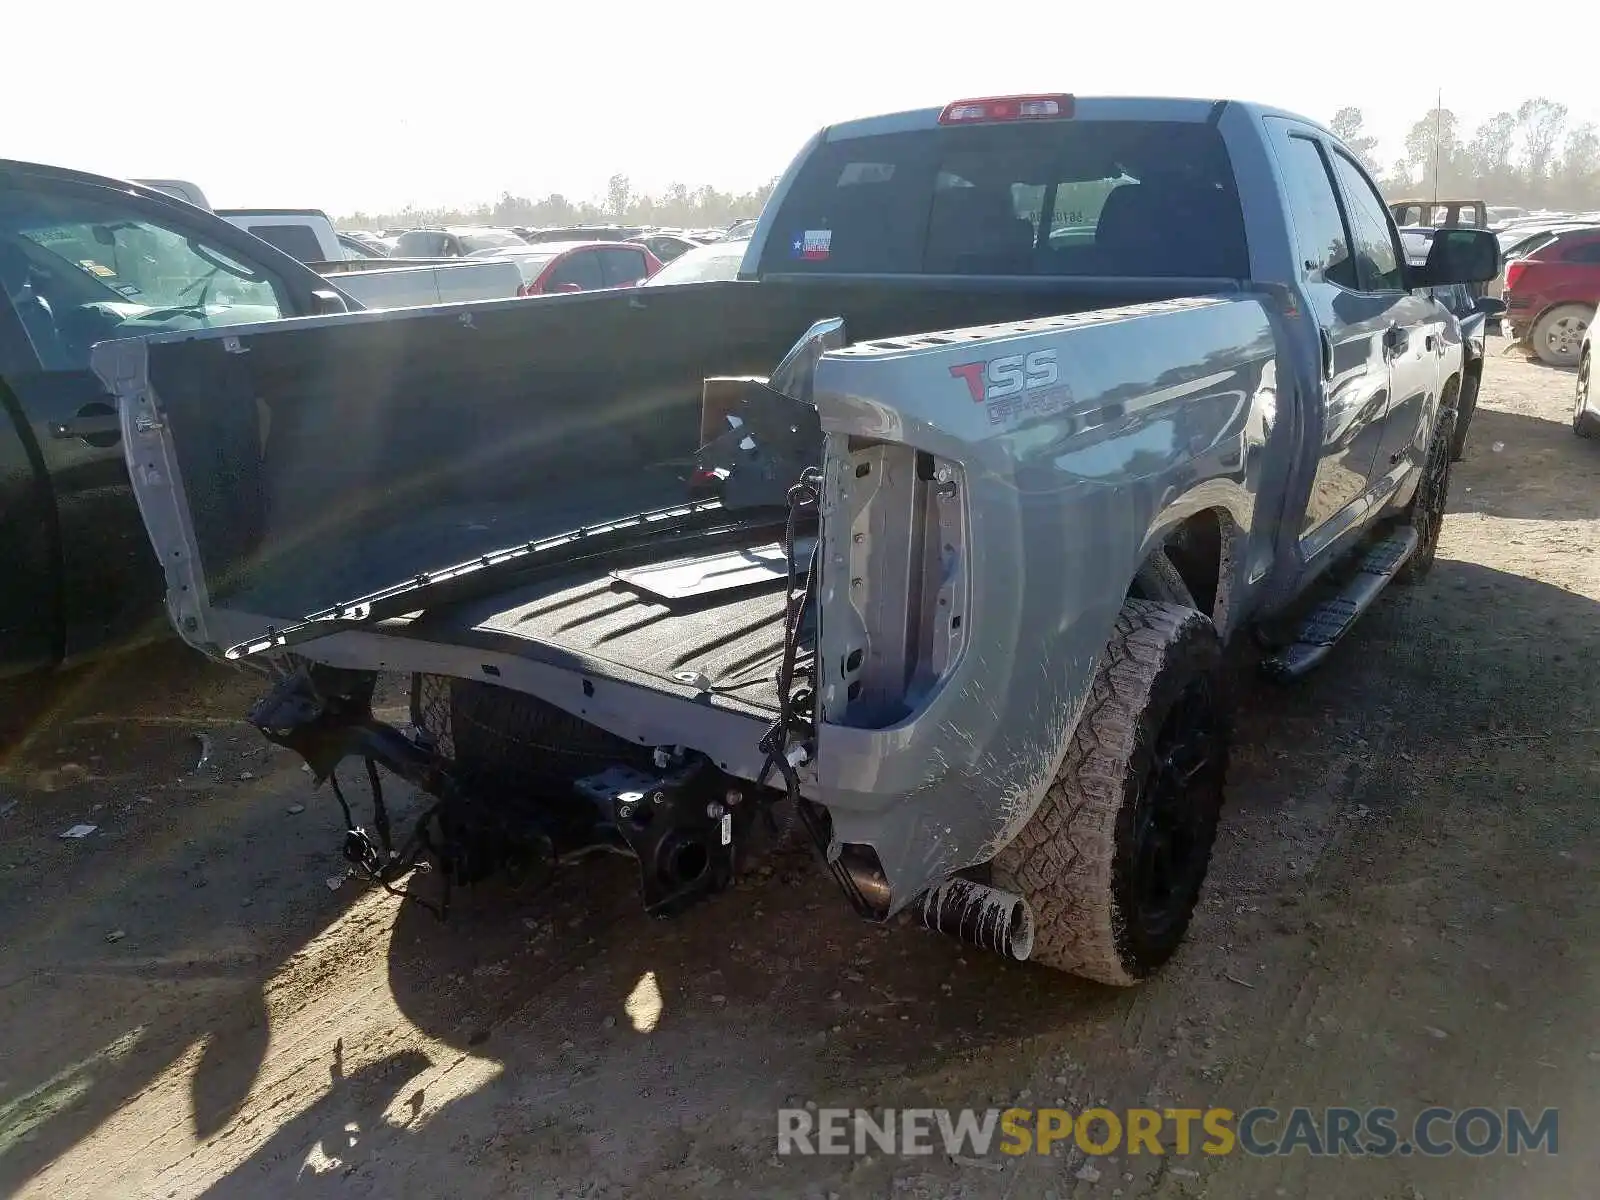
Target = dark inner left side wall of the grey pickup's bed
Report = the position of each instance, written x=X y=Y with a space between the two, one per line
x=284 y=470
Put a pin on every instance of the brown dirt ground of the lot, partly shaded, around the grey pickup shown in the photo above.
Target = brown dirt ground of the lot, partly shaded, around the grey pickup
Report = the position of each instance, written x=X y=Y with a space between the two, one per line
x=1404 y=911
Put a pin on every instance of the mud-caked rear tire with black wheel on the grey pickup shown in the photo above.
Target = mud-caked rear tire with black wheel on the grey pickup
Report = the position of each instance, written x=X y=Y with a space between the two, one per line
x=1113 y=860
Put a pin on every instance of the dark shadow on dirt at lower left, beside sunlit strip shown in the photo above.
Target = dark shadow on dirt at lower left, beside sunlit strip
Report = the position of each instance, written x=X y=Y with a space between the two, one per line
x=158 y=935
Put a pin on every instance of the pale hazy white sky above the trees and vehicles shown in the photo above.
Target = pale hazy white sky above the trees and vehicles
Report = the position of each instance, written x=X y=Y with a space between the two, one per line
x=348 y=105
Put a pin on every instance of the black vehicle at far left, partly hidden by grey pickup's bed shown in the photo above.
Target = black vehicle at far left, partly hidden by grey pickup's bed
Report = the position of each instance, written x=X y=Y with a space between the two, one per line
x=84 y=260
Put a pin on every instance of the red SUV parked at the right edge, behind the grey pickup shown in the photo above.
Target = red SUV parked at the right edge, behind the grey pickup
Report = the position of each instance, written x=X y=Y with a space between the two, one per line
x=1551 y=295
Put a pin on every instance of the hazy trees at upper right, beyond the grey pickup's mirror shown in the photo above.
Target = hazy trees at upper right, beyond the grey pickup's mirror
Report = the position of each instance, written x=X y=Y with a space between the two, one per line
x=1532 y=158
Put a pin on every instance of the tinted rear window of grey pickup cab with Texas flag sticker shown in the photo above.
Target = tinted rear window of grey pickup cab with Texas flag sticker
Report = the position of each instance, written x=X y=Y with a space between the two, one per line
x=1142 y=199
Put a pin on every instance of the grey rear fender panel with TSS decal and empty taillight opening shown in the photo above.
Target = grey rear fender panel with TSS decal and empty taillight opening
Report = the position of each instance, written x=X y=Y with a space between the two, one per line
x=990 y=495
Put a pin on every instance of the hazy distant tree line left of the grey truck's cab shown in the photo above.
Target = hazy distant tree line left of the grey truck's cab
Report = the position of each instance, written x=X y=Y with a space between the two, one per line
x=679 y=206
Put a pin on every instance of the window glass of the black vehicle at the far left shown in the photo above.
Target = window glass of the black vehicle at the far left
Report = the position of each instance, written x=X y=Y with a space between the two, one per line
x=132 y=258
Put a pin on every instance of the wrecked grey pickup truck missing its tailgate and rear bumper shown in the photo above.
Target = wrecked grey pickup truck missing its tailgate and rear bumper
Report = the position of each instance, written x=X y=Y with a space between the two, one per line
x=922 y=538
